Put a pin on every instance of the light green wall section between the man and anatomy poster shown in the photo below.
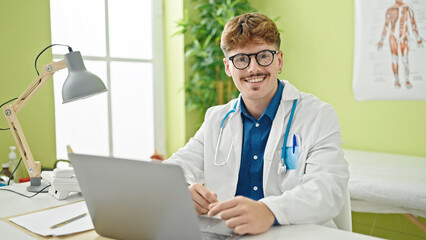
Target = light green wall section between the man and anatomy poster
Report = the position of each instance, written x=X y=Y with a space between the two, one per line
x=318 y=41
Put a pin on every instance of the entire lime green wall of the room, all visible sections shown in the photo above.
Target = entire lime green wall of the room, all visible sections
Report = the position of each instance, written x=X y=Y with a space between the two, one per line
x=318 y=49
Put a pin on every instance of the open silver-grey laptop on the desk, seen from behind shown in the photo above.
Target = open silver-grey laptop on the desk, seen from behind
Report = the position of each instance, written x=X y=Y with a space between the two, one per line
x=133 y=199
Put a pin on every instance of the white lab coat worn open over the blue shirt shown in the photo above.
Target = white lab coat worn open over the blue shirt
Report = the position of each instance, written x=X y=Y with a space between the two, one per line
x=314 y=192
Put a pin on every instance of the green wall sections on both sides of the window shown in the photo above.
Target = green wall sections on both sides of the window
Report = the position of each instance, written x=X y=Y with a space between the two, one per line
x=25 y=31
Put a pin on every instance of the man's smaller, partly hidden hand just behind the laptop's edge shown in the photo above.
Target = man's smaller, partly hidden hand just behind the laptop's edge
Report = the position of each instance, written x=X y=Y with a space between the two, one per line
x=201 y=197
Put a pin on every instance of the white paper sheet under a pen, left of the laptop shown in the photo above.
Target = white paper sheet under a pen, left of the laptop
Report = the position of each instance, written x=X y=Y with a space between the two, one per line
x=40 y=222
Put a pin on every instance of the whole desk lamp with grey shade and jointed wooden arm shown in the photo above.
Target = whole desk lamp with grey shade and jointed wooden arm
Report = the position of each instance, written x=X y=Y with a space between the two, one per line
x=79 y=84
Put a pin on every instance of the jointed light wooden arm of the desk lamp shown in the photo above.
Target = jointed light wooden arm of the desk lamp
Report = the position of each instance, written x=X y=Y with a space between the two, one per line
x=11 y=111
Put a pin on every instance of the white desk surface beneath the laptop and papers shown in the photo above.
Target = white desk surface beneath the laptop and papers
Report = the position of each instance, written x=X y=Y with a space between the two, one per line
x=13 y=204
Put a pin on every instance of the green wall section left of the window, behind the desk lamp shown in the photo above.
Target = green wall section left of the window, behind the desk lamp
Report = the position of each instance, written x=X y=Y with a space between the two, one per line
x=24 y=32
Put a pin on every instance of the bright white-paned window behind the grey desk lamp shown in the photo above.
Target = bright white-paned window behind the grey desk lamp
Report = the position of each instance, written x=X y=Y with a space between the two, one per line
x=121 y=42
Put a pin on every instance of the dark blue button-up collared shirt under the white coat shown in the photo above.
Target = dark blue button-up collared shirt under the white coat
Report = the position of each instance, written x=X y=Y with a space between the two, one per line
x=255 y=137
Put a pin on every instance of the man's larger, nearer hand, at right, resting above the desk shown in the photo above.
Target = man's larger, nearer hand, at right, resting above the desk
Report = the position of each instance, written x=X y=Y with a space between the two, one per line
x=244 y=215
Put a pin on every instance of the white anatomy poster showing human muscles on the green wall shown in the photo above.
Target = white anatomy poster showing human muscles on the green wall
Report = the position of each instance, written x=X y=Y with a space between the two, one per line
x=390 y=50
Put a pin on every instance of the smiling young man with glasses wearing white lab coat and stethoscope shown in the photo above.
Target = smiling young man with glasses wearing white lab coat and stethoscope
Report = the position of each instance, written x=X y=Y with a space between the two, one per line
x=234 y=163
